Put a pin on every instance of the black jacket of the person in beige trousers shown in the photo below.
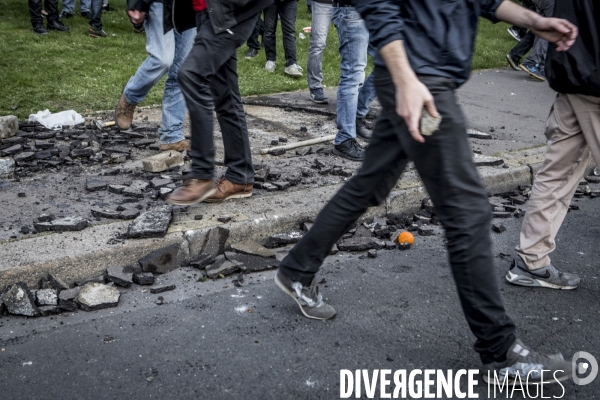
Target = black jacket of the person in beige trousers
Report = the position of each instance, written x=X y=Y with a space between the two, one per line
x=578 y=69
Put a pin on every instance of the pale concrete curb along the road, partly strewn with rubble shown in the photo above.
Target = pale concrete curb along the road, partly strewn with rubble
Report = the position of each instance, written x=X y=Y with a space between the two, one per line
x=74 y=256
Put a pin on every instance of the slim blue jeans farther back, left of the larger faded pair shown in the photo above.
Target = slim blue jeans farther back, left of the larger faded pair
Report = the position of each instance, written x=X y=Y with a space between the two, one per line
x=321 y=18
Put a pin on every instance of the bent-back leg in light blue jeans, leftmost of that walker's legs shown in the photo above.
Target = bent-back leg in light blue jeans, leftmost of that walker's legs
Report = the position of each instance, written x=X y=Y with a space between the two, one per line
x=161 y=52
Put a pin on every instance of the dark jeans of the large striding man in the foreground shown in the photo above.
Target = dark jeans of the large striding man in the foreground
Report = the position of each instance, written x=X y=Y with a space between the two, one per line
x=445 y=165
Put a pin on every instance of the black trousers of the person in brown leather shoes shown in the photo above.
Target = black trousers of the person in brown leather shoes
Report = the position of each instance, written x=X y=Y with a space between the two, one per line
x=208 y=79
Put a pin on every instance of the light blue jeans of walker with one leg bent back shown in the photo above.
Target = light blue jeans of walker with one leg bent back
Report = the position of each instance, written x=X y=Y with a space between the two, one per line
x=166 y=52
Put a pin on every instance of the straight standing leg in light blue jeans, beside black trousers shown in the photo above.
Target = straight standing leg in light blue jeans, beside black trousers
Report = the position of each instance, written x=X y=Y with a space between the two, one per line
x=173 y=104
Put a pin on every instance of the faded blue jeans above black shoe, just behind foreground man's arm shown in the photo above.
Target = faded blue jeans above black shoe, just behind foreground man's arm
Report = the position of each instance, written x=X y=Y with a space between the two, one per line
x=354 y=43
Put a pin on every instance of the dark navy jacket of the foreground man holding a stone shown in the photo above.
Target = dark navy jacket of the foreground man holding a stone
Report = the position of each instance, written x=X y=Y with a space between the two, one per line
x=438 y=35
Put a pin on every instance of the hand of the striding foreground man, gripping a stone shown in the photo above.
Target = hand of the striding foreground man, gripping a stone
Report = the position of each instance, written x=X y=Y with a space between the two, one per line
x=410 y=99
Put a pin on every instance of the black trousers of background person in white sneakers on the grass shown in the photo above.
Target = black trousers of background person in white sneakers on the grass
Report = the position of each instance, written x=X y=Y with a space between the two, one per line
x=287 y=13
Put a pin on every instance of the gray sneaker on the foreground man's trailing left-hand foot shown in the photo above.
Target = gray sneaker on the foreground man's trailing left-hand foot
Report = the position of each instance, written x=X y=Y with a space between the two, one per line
x=308 y=298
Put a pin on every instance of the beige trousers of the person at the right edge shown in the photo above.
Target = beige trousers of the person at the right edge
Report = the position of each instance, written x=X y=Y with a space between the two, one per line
x=573 y=131
